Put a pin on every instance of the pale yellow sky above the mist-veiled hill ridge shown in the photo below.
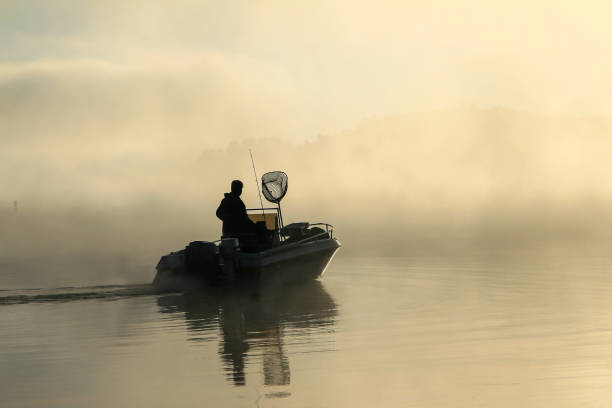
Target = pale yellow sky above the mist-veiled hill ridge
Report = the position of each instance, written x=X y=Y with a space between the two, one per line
x=308 y=67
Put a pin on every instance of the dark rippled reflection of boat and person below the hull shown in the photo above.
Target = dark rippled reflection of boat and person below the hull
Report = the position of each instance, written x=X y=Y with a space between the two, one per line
x=252 y=322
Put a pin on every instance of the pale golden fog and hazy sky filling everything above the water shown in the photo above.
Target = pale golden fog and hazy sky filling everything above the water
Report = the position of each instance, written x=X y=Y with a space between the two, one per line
x=412 y=127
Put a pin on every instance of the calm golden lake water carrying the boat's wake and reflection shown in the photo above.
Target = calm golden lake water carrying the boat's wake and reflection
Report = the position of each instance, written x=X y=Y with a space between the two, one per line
x=504 y=330
